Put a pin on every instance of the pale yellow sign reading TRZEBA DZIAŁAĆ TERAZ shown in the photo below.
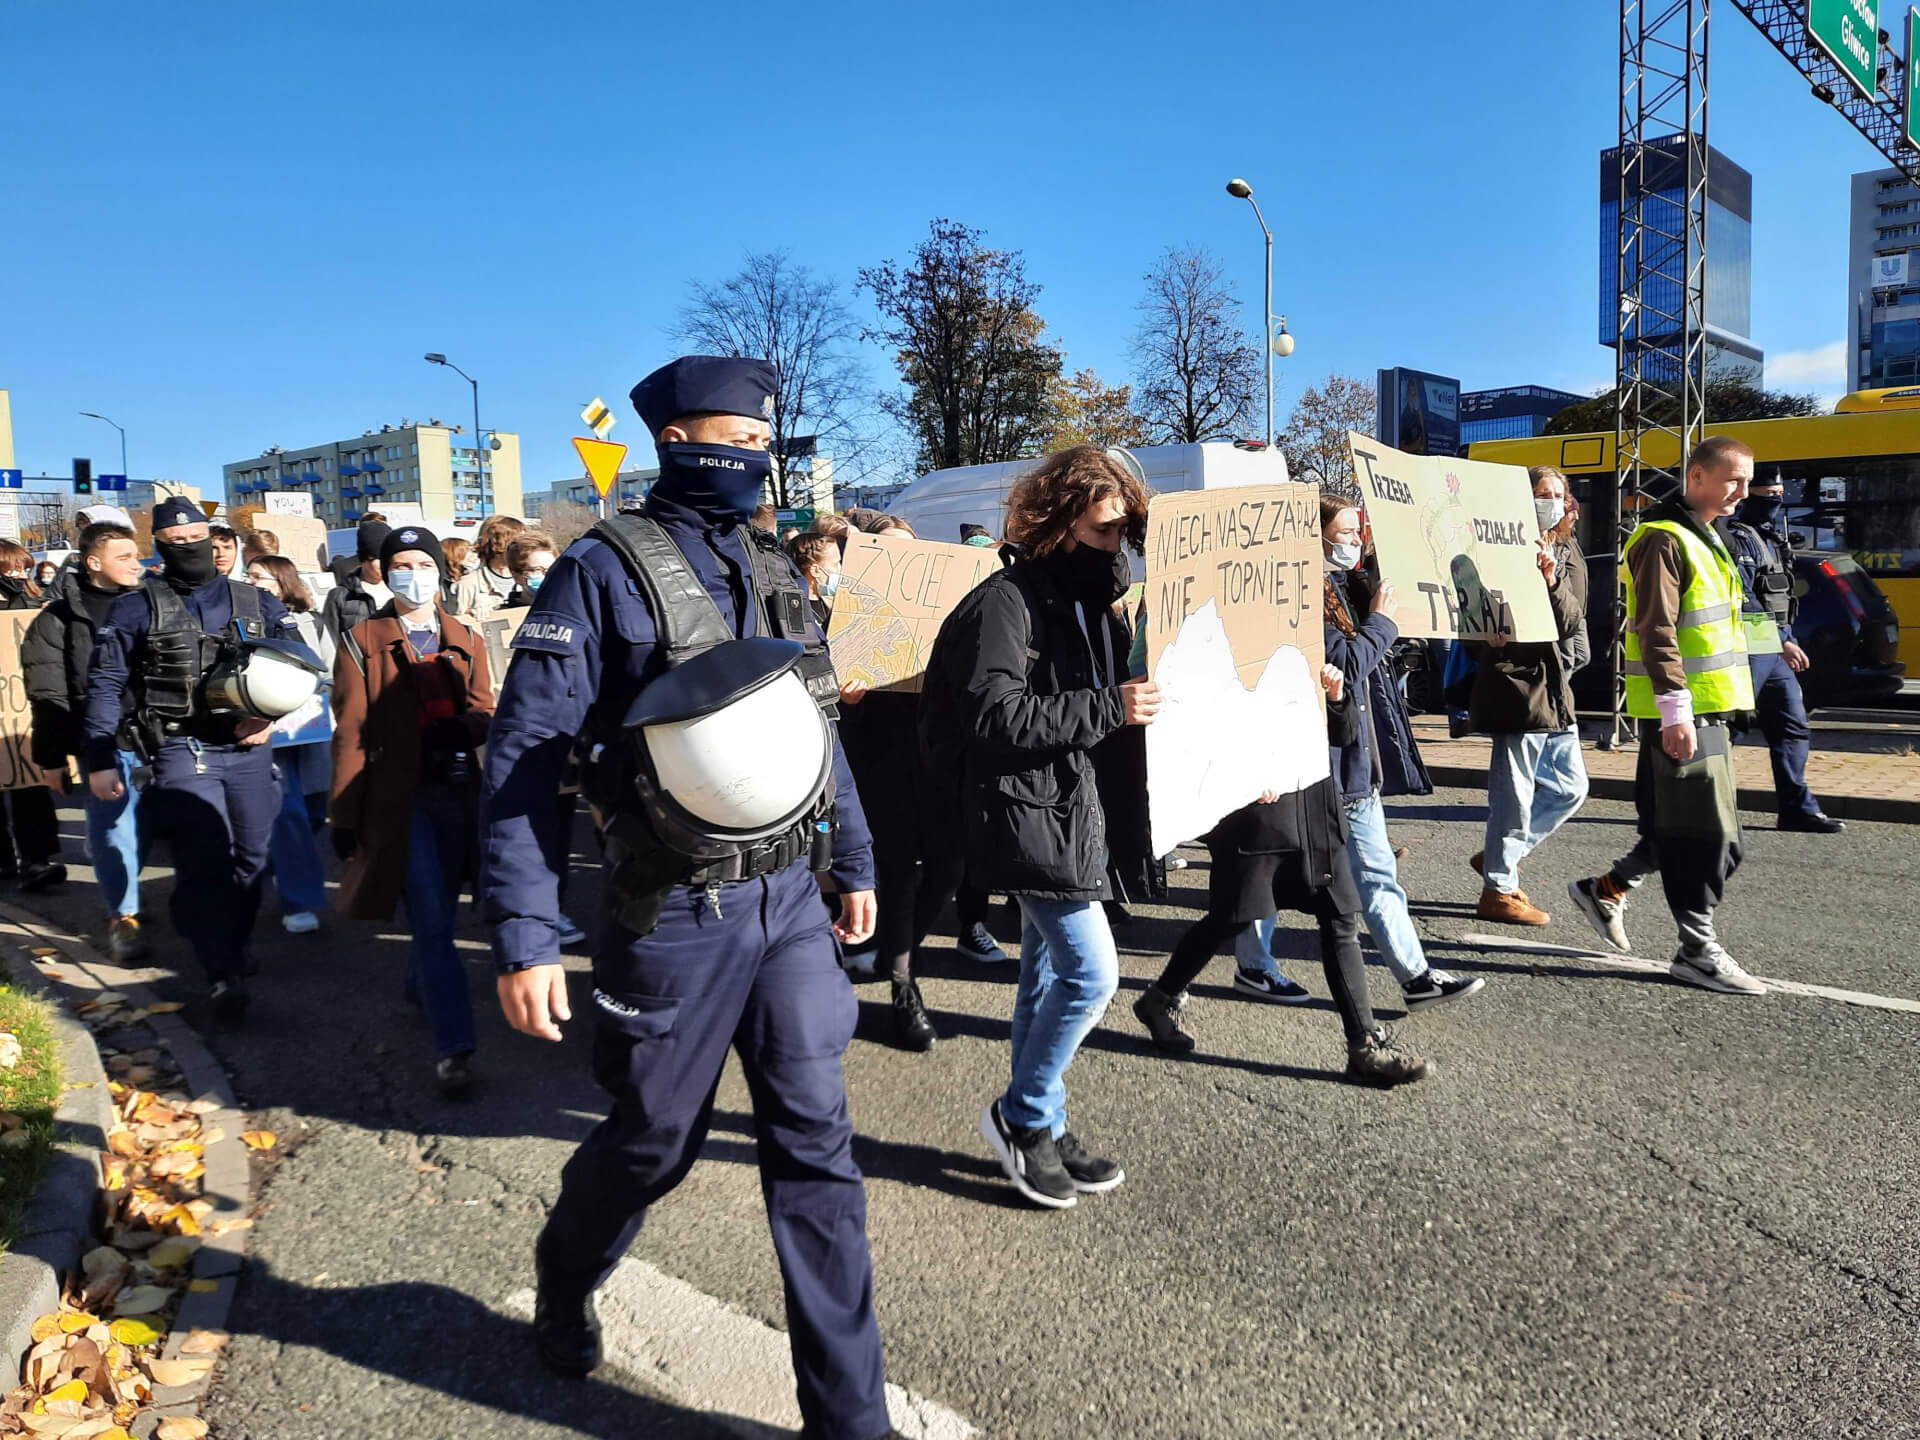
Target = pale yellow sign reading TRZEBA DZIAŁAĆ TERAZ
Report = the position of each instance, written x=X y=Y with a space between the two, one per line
x=1458 y=540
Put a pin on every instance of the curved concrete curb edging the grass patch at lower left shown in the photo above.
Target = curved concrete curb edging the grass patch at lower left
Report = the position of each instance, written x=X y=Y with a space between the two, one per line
x=60 y=1218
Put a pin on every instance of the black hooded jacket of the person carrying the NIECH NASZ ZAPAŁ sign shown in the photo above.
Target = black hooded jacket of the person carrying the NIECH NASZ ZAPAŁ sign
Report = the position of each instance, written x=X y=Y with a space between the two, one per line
x=1011 y=715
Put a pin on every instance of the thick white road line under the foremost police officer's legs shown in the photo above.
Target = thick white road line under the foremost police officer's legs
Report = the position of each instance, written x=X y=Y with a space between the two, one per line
x=708 y=1356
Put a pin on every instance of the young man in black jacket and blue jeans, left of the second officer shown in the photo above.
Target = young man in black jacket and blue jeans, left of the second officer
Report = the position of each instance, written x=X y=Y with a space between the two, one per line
x=55 y=656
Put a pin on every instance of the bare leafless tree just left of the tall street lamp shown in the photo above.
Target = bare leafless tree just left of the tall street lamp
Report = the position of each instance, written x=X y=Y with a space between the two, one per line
x=1195 y=370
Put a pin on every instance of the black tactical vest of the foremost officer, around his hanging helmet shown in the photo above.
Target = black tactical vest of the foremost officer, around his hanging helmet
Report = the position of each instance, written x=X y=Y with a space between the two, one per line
x=688 y=623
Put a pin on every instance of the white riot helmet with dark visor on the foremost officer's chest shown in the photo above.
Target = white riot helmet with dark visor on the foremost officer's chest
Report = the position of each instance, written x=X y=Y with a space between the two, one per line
x=732 y=748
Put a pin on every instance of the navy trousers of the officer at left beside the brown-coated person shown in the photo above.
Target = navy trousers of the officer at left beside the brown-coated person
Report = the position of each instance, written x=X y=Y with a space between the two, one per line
x=216 y=807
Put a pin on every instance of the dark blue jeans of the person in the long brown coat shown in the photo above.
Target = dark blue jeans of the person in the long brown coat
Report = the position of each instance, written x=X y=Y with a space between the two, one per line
x=439 y=848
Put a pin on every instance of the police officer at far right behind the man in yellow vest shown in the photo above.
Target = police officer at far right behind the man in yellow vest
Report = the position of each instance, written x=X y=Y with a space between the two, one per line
x=1764 y=550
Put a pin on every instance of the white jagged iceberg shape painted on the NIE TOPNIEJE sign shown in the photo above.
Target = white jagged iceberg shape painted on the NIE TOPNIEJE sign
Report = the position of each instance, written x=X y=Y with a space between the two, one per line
x=1218 y=746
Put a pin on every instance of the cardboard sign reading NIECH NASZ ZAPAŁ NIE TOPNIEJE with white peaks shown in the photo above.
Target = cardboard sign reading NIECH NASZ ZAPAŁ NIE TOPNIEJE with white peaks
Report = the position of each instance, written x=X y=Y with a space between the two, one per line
x=1234 y=613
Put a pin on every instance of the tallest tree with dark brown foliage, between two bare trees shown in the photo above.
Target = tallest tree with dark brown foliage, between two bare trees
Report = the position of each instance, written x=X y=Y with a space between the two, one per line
x=971 y=350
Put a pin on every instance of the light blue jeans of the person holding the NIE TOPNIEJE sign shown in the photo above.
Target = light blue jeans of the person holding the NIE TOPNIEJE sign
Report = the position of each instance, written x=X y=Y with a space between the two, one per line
x=1068 y=972
